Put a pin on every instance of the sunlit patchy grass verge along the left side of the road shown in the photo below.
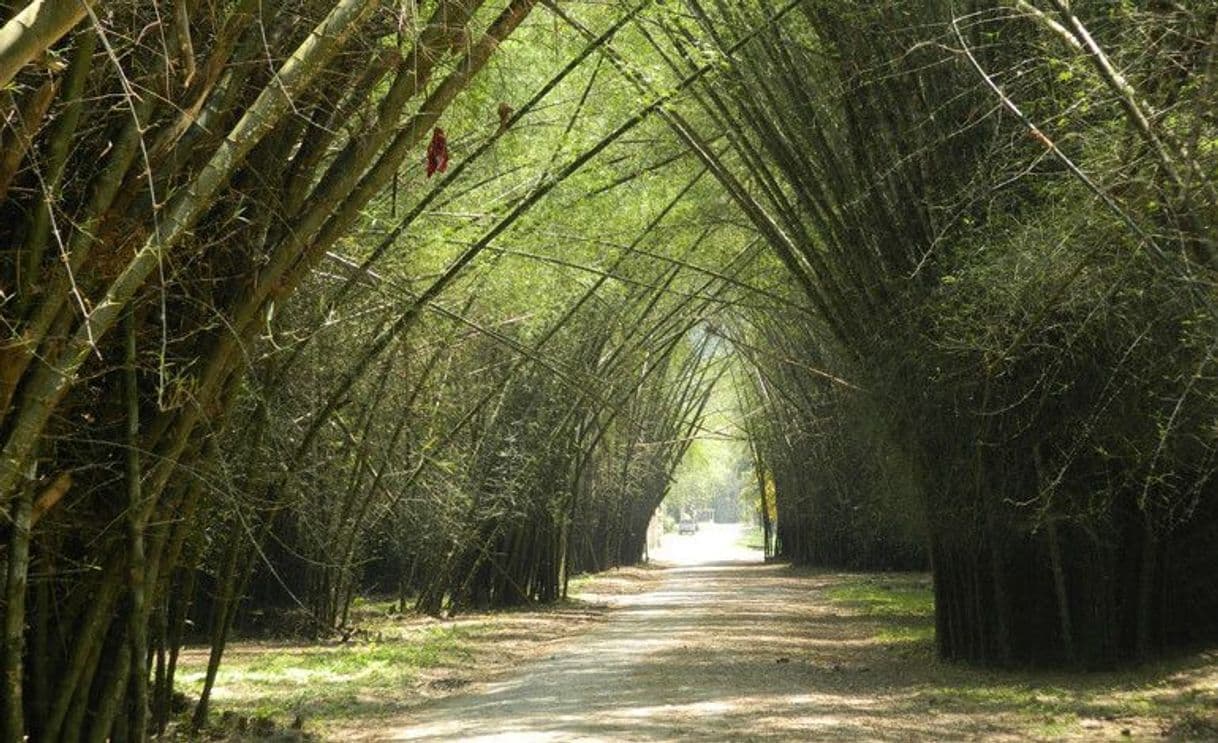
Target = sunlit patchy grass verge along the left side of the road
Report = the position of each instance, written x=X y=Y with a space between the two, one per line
x=394 y=664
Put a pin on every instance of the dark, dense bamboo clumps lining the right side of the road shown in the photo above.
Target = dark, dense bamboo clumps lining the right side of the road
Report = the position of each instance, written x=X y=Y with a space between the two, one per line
x=1002 y=217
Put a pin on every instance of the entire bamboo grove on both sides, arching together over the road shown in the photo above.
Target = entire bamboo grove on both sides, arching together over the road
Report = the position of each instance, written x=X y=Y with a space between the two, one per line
x=312 y=299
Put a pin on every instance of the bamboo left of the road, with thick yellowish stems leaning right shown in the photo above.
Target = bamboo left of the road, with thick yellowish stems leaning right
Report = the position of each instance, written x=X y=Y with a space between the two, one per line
x=181 y=437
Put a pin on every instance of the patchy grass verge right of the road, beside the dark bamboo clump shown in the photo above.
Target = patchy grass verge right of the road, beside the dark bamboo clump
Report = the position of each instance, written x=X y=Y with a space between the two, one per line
x=1174 y=699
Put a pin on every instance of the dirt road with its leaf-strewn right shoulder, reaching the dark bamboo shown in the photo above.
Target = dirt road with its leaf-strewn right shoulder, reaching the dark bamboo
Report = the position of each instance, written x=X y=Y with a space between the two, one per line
x=733 y=650
